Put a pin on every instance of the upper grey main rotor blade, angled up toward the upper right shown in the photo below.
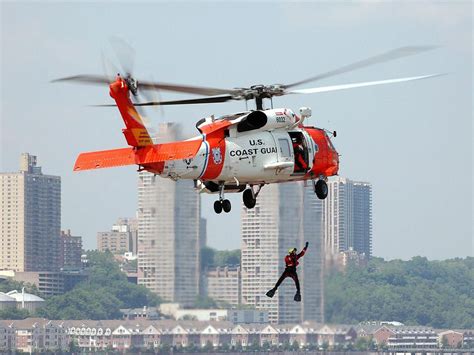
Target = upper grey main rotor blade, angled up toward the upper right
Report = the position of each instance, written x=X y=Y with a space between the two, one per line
x=381 y=58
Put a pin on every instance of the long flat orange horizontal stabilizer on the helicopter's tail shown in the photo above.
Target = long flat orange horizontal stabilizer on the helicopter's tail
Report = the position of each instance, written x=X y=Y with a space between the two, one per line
x=142 y=156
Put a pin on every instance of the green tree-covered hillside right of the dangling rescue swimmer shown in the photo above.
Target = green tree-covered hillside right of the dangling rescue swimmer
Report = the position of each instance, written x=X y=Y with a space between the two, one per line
x=417 y=292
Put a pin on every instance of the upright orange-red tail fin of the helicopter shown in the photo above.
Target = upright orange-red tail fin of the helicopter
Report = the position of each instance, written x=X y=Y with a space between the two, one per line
x=136 y=133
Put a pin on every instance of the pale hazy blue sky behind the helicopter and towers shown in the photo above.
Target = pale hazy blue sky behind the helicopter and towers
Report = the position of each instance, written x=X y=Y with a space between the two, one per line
x=412 y=141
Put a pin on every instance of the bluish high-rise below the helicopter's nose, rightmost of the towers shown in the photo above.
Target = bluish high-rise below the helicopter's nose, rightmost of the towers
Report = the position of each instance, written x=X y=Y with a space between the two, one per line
x=347 y=217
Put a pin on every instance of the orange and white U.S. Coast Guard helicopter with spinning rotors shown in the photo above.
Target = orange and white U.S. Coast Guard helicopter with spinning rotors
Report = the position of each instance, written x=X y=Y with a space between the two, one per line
x=239 y=152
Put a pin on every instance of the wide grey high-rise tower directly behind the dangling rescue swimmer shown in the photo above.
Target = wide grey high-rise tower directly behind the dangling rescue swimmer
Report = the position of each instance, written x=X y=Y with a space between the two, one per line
x=285 y=216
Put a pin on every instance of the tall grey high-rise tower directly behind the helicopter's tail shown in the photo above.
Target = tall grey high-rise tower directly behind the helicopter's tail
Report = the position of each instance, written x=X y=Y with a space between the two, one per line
x=169 y=234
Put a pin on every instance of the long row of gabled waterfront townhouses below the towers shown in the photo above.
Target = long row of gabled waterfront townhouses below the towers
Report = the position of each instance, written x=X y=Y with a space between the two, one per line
x=90 y=335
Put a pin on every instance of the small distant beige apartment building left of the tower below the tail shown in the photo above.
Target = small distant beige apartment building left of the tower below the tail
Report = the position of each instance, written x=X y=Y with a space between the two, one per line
x=121 y=239
